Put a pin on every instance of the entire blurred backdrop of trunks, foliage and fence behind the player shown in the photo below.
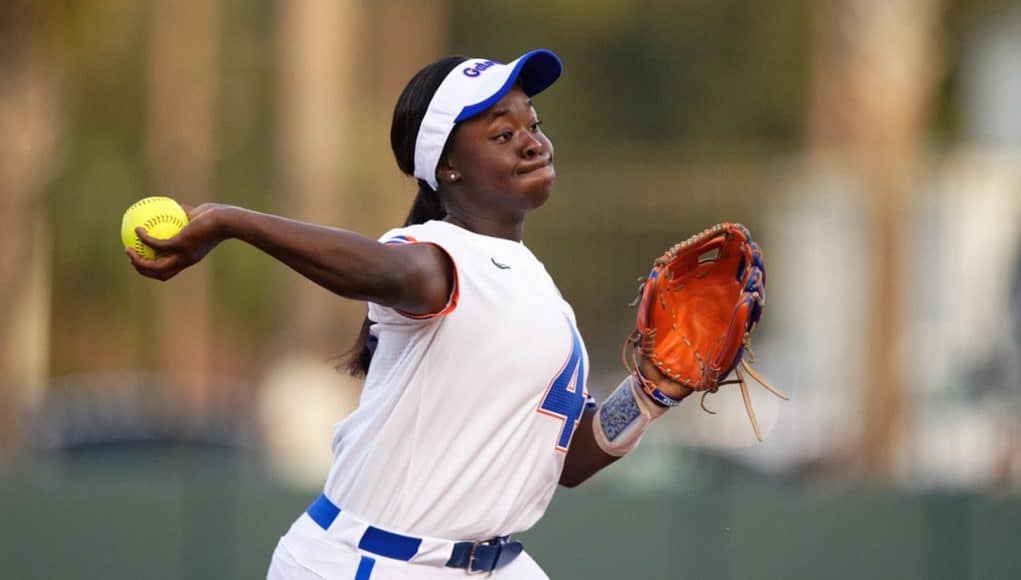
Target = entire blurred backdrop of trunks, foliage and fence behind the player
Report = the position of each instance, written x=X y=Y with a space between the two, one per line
x=874 y=150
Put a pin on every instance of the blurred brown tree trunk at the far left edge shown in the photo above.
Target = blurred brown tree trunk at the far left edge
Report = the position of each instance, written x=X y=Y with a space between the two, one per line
x=32 y=124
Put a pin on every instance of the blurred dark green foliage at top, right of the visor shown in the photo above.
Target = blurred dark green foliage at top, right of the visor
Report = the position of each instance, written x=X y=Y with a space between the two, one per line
x=669 y=76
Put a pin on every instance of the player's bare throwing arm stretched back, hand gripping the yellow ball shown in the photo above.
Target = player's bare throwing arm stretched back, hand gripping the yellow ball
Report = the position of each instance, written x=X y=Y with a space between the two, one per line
x=414 y=278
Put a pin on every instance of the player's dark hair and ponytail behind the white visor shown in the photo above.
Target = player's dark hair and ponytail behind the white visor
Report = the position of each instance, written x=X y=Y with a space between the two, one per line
x=408 y=116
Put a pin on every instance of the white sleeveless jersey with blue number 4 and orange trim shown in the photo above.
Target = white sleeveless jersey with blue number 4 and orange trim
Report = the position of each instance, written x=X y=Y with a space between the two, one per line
x=467 y=415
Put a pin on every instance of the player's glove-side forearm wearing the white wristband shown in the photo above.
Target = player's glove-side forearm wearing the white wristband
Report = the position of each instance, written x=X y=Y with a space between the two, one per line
x=629 y=412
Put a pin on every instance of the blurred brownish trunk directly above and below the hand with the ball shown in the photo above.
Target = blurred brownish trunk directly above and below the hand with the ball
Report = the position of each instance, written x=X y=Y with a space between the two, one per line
x=183 y=88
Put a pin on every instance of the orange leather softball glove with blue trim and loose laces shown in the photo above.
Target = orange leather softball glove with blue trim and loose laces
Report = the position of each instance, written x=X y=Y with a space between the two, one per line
x=697 y=312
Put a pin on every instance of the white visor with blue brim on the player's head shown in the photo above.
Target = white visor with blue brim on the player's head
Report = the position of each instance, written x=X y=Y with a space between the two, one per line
x=471 y=88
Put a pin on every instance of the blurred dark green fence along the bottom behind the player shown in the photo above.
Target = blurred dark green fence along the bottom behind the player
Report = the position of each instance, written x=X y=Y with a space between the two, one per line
x=218 y=518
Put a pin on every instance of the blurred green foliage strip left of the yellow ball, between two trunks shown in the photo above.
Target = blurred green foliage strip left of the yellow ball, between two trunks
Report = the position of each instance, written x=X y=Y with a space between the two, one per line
x=103 y=49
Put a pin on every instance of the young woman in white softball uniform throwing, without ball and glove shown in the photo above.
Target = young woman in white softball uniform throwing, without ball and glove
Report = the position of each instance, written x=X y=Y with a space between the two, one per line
x=475 y=404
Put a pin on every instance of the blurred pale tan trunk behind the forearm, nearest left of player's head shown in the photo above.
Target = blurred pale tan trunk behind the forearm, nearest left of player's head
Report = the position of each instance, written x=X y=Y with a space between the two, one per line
x=318 y=84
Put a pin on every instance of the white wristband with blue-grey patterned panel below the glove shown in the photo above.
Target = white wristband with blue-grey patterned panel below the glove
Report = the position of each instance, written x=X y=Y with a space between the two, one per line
x=623 y=418
